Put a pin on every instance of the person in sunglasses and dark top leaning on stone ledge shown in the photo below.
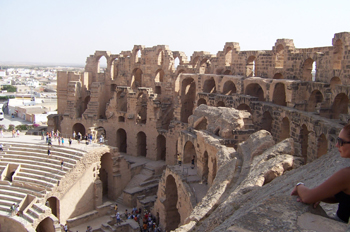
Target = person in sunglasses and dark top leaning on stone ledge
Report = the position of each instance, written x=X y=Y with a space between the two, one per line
x=336 y=188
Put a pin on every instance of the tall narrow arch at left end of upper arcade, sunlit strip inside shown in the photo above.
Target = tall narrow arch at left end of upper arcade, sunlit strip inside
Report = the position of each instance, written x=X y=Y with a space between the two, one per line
x=188 y=94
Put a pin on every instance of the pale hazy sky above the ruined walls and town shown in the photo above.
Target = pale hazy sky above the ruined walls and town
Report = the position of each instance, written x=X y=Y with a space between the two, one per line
x=68 y=31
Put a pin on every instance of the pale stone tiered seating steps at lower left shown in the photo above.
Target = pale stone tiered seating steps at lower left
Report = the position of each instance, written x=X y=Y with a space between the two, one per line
x=27 y=174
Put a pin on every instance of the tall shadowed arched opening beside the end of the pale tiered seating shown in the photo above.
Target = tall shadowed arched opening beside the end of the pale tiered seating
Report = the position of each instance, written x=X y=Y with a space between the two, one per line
x=106 y=173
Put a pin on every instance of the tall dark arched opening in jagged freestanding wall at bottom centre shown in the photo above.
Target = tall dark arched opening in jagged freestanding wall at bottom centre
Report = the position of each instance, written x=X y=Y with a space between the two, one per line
x=172 y=216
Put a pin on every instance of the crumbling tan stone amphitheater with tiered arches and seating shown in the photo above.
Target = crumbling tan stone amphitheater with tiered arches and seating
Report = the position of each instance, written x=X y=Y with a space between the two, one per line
x=225 y=111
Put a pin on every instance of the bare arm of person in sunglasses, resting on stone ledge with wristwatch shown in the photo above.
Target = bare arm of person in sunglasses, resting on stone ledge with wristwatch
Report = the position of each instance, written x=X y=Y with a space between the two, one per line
x=339 y=181
